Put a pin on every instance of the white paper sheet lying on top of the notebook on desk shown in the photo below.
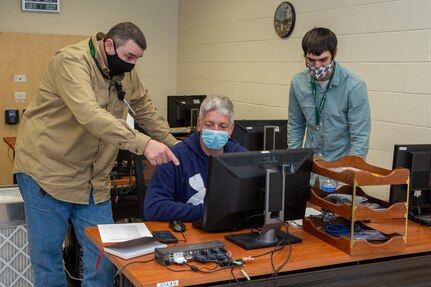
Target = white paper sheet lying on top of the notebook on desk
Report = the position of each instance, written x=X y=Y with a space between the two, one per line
x=122 y=232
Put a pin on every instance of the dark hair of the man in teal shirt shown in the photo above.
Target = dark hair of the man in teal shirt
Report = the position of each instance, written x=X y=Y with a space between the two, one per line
x=318 y=40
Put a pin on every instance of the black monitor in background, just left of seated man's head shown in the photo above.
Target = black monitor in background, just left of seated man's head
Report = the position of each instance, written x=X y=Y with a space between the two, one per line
x=183 y=111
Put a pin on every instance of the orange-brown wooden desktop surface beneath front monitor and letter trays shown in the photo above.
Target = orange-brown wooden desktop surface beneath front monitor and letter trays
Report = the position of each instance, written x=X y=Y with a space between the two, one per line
x=311 y=253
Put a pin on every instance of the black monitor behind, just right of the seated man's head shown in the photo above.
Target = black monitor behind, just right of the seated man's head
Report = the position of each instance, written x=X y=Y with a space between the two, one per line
x=257 y=135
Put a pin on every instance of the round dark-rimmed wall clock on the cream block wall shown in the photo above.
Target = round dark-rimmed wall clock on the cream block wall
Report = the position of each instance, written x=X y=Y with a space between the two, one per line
x=284 y=19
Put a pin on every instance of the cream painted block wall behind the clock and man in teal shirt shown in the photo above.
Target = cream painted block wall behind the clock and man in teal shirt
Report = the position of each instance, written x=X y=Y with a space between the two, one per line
x=230 y=47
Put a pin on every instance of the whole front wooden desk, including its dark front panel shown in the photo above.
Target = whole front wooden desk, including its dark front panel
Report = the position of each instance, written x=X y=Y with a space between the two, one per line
x=312 y=263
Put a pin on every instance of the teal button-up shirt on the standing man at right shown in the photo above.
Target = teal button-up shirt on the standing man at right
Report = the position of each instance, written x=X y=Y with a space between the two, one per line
x=345 y=121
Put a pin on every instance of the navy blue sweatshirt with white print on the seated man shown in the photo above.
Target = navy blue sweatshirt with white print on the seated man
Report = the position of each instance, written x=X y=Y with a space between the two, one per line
x=177 y=192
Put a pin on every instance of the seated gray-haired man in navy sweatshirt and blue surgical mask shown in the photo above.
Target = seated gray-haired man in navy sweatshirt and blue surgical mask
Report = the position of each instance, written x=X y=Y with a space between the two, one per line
x=177 y=192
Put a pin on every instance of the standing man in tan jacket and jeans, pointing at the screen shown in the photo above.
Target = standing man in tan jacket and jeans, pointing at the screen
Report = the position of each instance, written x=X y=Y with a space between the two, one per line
x=68 y=141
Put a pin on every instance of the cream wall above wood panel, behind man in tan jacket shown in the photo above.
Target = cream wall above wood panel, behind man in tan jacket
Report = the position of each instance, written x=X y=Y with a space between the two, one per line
x=156 y=18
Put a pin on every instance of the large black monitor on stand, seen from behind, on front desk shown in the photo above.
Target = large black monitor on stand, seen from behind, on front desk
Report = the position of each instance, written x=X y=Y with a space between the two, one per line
x=255 y=188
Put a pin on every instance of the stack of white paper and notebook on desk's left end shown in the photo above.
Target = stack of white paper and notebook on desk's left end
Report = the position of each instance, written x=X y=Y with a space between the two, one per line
x=133 y=239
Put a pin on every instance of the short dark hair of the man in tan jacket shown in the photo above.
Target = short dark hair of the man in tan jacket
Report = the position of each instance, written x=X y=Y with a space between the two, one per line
x=122 y=32
